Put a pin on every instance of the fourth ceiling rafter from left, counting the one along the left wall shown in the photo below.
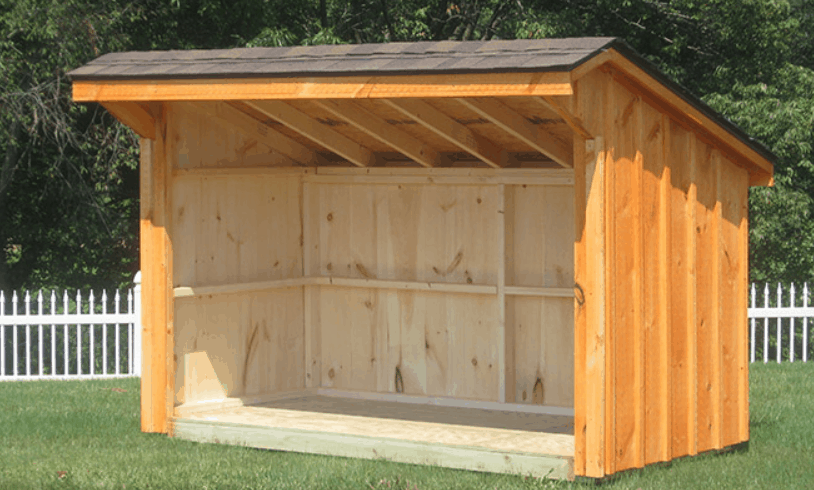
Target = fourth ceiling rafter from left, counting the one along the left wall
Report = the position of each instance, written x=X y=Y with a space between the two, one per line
x=450 y=129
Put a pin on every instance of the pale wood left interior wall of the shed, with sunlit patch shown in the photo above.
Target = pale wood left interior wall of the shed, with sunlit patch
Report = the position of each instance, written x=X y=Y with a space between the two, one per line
x=227 y=229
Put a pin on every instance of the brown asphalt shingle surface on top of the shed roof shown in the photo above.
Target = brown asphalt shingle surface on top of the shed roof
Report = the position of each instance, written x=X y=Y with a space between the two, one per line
x=350 y=59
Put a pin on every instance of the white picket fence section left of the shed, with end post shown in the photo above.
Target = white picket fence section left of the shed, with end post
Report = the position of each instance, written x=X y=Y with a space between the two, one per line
x=80 y=340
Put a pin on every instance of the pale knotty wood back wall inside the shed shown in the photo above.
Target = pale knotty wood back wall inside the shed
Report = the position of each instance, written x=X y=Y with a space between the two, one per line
x=444 y=344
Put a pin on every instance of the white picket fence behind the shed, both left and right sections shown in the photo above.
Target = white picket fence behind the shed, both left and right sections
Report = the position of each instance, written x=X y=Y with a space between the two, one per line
x=84 y=339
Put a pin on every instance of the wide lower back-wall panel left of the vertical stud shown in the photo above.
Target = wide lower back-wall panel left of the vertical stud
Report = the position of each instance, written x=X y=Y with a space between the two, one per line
x=442 y=344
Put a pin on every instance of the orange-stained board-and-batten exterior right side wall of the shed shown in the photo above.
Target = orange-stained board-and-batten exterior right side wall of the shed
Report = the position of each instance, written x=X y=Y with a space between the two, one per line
x=662 y=255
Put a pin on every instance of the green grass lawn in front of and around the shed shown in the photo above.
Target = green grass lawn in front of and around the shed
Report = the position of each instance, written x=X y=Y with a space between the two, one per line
x=85 y=434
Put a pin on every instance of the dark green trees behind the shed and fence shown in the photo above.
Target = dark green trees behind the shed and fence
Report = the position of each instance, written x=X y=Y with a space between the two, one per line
x=68 y=172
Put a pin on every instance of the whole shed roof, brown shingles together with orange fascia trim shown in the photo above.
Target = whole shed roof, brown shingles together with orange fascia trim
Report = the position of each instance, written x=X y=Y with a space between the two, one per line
x=512 y=66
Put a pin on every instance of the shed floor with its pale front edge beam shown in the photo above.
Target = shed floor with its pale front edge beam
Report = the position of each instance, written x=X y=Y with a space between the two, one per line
x=465 y=438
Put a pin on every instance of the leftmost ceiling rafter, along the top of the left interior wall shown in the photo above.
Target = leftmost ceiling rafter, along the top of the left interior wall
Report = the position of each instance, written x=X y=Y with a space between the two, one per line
x=253 y=128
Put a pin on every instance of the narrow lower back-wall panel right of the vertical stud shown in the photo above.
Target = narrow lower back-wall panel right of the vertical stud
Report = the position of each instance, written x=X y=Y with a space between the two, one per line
x=544 y=343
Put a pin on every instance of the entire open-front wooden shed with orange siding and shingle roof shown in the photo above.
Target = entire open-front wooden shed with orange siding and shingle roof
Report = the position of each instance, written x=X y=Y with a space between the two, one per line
x=516 y=256
